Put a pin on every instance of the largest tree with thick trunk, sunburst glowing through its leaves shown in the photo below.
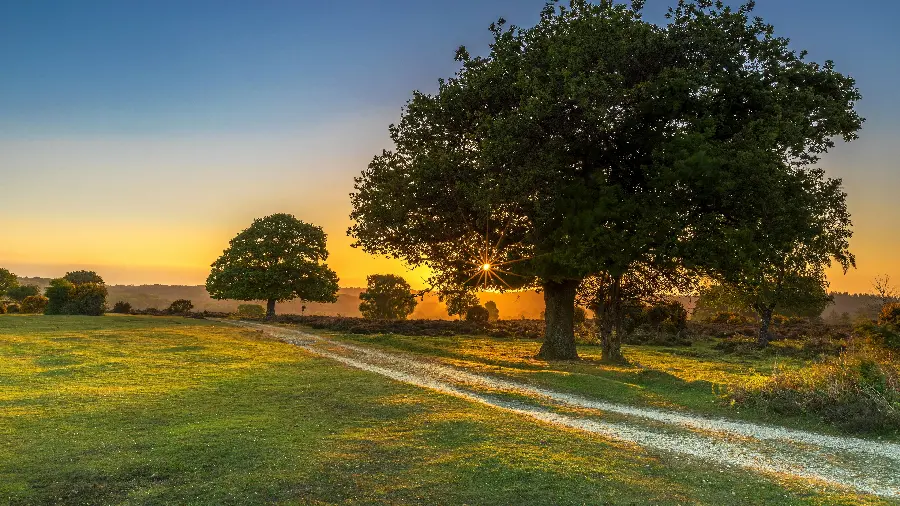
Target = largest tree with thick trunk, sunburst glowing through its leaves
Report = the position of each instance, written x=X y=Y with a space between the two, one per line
x=587 y=142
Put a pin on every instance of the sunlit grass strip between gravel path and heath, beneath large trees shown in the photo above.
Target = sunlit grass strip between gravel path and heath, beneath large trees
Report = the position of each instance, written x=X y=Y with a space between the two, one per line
x=683 y=378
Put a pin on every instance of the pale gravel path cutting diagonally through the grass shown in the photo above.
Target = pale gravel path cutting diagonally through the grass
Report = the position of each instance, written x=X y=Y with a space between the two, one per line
x=861 y=465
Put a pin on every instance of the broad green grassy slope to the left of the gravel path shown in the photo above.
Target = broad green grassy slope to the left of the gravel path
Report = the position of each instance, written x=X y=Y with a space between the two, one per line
x=141 y=410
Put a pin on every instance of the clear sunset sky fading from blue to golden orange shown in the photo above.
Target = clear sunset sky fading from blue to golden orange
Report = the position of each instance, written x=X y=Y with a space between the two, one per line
x=137 y=138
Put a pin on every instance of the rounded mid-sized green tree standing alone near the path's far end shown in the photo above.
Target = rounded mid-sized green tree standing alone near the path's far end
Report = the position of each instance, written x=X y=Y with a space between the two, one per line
x=279 y=258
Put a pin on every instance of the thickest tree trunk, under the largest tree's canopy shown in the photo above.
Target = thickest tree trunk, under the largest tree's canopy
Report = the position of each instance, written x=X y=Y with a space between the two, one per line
x=559 y=328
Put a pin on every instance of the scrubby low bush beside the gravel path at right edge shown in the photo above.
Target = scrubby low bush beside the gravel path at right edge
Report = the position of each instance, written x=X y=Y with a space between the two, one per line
x=857 y=391
